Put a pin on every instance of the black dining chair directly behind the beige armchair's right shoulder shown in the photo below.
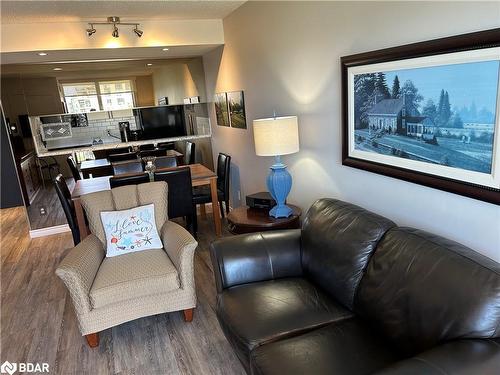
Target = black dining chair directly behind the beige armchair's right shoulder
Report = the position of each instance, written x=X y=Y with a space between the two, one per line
x=180 y=196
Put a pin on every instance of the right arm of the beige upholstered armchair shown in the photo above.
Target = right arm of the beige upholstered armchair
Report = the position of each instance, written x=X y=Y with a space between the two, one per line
x=180 y=247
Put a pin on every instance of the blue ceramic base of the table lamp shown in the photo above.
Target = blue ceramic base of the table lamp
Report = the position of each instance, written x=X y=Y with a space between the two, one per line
x=279 y=183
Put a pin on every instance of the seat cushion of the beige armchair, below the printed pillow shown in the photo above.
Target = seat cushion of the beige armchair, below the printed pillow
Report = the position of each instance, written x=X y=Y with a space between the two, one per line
x=132 y=276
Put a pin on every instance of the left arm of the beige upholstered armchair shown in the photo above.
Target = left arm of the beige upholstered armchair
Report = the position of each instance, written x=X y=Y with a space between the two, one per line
x=78 y=270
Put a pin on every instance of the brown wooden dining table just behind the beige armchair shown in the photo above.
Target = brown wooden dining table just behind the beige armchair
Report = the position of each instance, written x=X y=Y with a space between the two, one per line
x=200 y=176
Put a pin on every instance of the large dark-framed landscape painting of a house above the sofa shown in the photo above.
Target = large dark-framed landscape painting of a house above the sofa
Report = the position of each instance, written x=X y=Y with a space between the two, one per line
x=427 y=113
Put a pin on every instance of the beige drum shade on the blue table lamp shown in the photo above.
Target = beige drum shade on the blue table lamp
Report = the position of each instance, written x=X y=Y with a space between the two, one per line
x=276 y=136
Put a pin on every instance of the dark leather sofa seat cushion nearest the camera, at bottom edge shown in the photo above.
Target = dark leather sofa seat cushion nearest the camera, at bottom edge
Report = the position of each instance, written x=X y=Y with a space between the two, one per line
x=346 y=347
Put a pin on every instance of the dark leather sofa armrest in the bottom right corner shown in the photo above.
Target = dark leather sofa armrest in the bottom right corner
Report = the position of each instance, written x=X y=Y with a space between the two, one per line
x=460 y=357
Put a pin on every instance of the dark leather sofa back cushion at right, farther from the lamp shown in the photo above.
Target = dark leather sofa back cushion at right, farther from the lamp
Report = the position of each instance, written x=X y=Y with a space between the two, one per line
x=421 y=289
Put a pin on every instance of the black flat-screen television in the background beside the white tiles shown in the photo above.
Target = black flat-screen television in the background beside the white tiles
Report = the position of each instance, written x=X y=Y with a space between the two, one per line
x=161 y=122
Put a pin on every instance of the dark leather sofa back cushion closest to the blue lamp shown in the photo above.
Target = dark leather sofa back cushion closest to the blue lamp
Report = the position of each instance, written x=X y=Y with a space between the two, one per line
x=338 y=239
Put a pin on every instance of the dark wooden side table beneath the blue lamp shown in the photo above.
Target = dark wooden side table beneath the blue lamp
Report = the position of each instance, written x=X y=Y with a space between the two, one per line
x=247 y=220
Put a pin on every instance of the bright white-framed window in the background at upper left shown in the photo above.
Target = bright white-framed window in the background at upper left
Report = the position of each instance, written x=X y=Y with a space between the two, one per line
x=97 y=96
